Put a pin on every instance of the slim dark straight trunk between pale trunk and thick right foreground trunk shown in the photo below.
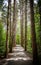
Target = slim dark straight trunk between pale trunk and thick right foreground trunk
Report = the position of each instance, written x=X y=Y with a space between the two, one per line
x=25 y=25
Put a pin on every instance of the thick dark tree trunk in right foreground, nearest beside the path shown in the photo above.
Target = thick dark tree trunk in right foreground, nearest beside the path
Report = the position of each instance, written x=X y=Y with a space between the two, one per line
x=33 y=34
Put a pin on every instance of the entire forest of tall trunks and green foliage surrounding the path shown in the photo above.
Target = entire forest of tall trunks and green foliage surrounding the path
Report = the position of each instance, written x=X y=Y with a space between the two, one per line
x=20 y=23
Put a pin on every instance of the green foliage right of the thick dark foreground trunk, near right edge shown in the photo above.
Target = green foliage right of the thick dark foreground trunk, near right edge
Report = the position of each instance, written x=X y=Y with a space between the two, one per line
x=37 y=28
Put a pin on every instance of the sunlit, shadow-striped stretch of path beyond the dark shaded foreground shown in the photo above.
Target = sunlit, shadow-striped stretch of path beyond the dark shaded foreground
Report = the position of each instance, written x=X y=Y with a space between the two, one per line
x=18 y=54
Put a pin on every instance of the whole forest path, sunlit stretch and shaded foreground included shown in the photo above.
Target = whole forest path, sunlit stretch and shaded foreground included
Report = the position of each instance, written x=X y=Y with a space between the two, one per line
x=18 y=57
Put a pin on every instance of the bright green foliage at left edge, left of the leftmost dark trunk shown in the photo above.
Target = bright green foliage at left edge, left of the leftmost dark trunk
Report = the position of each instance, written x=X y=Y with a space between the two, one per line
x=2 y=40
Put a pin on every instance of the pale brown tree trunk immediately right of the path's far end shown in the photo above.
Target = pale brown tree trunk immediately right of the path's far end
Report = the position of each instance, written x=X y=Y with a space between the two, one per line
x=21 y=21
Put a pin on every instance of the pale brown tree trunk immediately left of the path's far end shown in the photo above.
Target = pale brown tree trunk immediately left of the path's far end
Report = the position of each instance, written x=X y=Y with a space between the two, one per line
x=14 y=25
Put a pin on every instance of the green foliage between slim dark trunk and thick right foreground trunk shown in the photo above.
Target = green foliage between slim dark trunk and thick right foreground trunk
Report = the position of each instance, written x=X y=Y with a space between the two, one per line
x=29 y=44
